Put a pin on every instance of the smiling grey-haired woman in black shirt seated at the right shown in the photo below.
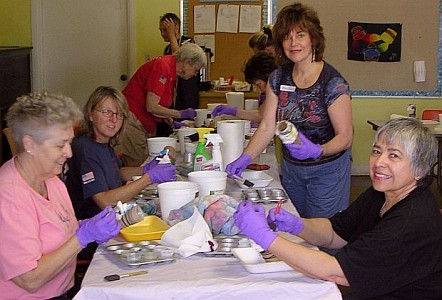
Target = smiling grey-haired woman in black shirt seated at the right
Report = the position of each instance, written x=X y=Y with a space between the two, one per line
x=388 y=240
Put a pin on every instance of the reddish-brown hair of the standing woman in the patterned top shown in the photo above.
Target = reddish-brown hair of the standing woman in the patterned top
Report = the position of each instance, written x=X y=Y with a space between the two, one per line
x=306 y=18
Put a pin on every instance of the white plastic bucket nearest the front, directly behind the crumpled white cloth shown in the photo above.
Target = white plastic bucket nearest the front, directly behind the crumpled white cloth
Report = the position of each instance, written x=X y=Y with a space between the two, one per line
x=174 y=195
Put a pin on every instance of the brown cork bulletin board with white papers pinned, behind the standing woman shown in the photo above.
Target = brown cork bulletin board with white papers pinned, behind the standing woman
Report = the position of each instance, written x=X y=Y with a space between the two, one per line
x=232 y=49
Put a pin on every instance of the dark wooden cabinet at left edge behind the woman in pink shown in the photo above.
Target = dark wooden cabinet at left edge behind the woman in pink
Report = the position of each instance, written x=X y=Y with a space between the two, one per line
x=15 y=80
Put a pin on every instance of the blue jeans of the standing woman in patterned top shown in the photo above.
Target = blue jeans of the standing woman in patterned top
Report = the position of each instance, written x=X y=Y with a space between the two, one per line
x=319 y=190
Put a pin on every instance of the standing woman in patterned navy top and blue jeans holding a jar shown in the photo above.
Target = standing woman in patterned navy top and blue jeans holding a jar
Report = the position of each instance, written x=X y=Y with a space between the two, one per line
x=312 y=95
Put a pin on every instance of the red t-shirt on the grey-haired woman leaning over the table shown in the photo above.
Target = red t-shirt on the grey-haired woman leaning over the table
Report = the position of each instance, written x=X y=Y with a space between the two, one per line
x=157 y=76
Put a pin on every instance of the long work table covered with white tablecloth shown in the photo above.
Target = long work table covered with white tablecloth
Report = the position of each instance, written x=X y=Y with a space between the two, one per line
x=203 y=277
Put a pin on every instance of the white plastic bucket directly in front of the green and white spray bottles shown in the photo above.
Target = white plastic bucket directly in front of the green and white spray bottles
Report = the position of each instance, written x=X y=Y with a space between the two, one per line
x=210 y=182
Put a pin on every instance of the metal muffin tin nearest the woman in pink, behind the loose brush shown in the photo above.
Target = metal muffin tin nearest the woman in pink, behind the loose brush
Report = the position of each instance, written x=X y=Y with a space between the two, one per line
x=141 y=253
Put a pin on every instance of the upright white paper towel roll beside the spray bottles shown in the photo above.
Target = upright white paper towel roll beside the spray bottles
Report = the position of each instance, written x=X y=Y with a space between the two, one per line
x=232 y=133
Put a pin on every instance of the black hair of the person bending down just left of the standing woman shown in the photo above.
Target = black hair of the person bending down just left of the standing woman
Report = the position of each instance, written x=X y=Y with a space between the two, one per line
x=259 y=66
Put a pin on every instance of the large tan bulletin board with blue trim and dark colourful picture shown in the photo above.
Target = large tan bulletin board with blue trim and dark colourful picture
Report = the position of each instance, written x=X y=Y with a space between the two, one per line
x=420 y=41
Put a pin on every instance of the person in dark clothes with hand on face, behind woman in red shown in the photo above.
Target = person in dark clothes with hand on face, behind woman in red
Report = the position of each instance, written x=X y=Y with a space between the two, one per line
x=187 y=90
